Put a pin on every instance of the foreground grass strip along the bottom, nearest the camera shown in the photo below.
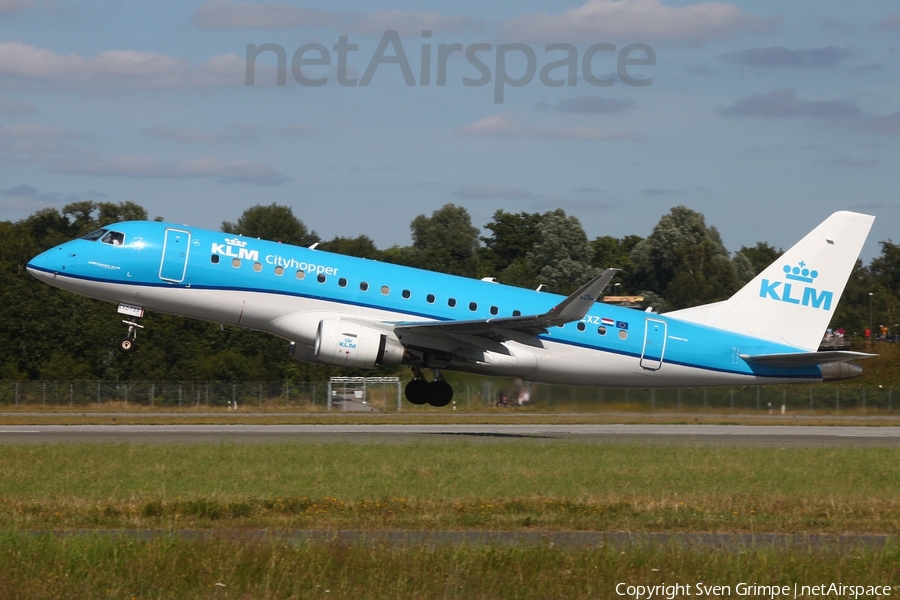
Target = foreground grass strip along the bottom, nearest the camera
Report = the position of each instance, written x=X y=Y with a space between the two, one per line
x=104 y=567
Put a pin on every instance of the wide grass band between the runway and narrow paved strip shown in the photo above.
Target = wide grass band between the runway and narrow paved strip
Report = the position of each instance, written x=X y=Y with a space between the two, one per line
x=510 y=485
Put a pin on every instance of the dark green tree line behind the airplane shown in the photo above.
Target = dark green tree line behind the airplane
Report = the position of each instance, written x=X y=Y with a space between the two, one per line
x=46 y=333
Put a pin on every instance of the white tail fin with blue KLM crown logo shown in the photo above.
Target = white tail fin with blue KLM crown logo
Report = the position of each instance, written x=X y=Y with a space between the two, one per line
x=793 y=299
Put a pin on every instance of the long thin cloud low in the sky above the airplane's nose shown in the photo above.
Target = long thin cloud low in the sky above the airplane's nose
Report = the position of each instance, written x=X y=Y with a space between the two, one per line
x=231 y=171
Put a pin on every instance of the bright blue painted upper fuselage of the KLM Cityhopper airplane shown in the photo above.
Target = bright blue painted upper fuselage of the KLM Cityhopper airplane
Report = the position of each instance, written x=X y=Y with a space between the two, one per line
x=138 y=263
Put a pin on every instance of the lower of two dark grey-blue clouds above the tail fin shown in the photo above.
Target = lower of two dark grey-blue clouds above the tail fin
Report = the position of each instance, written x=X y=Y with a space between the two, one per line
x=784 y=103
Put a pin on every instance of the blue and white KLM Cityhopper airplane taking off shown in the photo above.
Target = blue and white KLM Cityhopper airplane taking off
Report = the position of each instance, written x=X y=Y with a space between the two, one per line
x=346 y=311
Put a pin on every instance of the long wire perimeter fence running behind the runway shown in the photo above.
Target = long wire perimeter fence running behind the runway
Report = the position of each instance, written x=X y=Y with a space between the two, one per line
x=383 y=397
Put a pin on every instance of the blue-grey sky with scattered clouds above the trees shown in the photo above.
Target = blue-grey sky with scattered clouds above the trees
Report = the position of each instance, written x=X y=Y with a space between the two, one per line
x=764 y=116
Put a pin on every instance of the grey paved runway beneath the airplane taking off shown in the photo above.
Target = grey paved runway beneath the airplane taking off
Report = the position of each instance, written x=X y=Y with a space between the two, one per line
x=729 y=435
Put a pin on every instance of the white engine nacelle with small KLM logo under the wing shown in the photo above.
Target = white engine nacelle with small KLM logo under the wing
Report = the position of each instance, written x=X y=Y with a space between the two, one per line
x=347 y=344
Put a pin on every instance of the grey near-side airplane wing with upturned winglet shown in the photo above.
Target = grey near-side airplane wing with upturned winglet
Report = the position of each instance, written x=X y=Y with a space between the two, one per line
x=522 y=329
